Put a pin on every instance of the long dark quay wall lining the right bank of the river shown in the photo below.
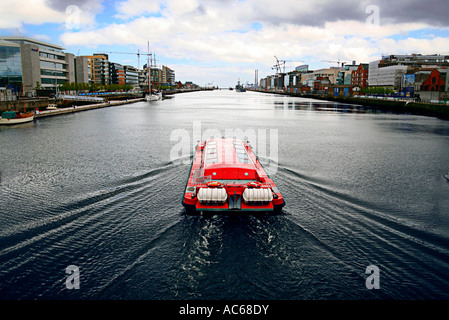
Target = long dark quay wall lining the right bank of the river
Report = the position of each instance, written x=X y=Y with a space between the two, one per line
x=417 y=108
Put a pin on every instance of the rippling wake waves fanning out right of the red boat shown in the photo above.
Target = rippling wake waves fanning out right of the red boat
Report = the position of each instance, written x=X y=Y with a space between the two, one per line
x=355 y=232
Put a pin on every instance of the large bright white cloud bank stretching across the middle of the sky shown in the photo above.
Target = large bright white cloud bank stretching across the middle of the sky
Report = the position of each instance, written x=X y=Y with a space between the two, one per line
x=211 y=33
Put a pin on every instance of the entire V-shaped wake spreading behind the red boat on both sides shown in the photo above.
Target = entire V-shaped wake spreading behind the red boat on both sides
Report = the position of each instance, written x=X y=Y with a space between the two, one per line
x=131 y=240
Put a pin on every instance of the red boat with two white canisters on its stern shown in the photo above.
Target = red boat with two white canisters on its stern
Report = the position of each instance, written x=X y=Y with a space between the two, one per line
x=226 y=176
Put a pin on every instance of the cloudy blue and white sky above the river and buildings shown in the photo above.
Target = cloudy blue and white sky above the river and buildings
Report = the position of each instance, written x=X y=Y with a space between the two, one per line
x=221 y=42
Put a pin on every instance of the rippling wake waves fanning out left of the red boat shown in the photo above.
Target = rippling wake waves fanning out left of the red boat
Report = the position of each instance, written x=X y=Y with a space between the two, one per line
x=87 y=230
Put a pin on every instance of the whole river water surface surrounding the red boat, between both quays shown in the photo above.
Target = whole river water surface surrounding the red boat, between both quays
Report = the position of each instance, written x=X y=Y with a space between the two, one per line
x=101 y=191
